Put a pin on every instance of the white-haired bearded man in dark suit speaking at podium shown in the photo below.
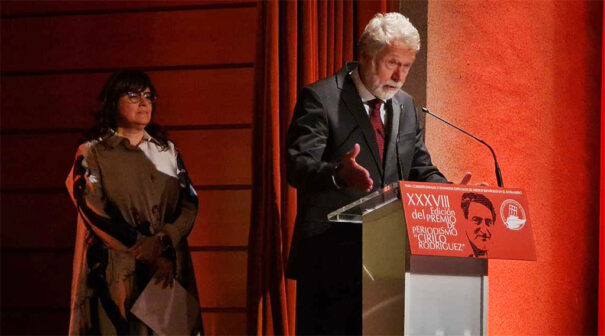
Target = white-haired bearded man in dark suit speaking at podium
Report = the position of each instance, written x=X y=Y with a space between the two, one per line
x=351 y=134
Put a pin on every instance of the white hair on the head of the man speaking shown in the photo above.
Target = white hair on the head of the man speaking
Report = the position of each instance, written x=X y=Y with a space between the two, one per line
x=384 y=29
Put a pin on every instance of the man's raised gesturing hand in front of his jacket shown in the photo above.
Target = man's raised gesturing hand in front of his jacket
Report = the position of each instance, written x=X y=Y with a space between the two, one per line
x=351 y=175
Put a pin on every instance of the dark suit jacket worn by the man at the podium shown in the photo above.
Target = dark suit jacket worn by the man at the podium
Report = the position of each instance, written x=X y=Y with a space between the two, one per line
x=329 y=119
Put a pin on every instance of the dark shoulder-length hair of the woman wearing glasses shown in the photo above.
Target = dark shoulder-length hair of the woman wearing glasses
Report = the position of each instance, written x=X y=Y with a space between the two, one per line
x=118 y=84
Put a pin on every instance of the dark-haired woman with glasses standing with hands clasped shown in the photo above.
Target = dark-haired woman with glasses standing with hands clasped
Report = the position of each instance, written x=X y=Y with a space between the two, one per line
x=136 y=207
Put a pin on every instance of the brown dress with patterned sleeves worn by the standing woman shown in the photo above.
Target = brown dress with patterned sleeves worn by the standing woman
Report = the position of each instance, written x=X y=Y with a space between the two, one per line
x=124 y=194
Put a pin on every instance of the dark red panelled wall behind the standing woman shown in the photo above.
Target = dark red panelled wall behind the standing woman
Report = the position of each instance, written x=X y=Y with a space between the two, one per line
x=55 y=58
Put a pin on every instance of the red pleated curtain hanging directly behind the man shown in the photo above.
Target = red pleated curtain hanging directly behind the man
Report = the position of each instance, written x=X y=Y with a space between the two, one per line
x=298 y=42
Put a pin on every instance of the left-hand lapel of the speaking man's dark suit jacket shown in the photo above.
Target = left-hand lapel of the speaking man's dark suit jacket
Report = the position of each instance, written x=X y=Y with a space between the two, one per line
x=353 y=102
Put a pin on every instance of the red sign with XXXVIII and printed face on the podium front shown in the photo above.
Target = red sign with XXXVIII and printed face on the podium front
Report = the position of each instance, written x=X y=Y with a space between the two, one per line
x=467 y=221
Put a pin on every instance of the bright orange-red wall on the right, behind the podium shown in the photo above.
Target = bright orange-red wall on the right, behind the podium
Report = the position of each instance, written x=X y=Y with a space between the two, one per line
x=525 y=77
